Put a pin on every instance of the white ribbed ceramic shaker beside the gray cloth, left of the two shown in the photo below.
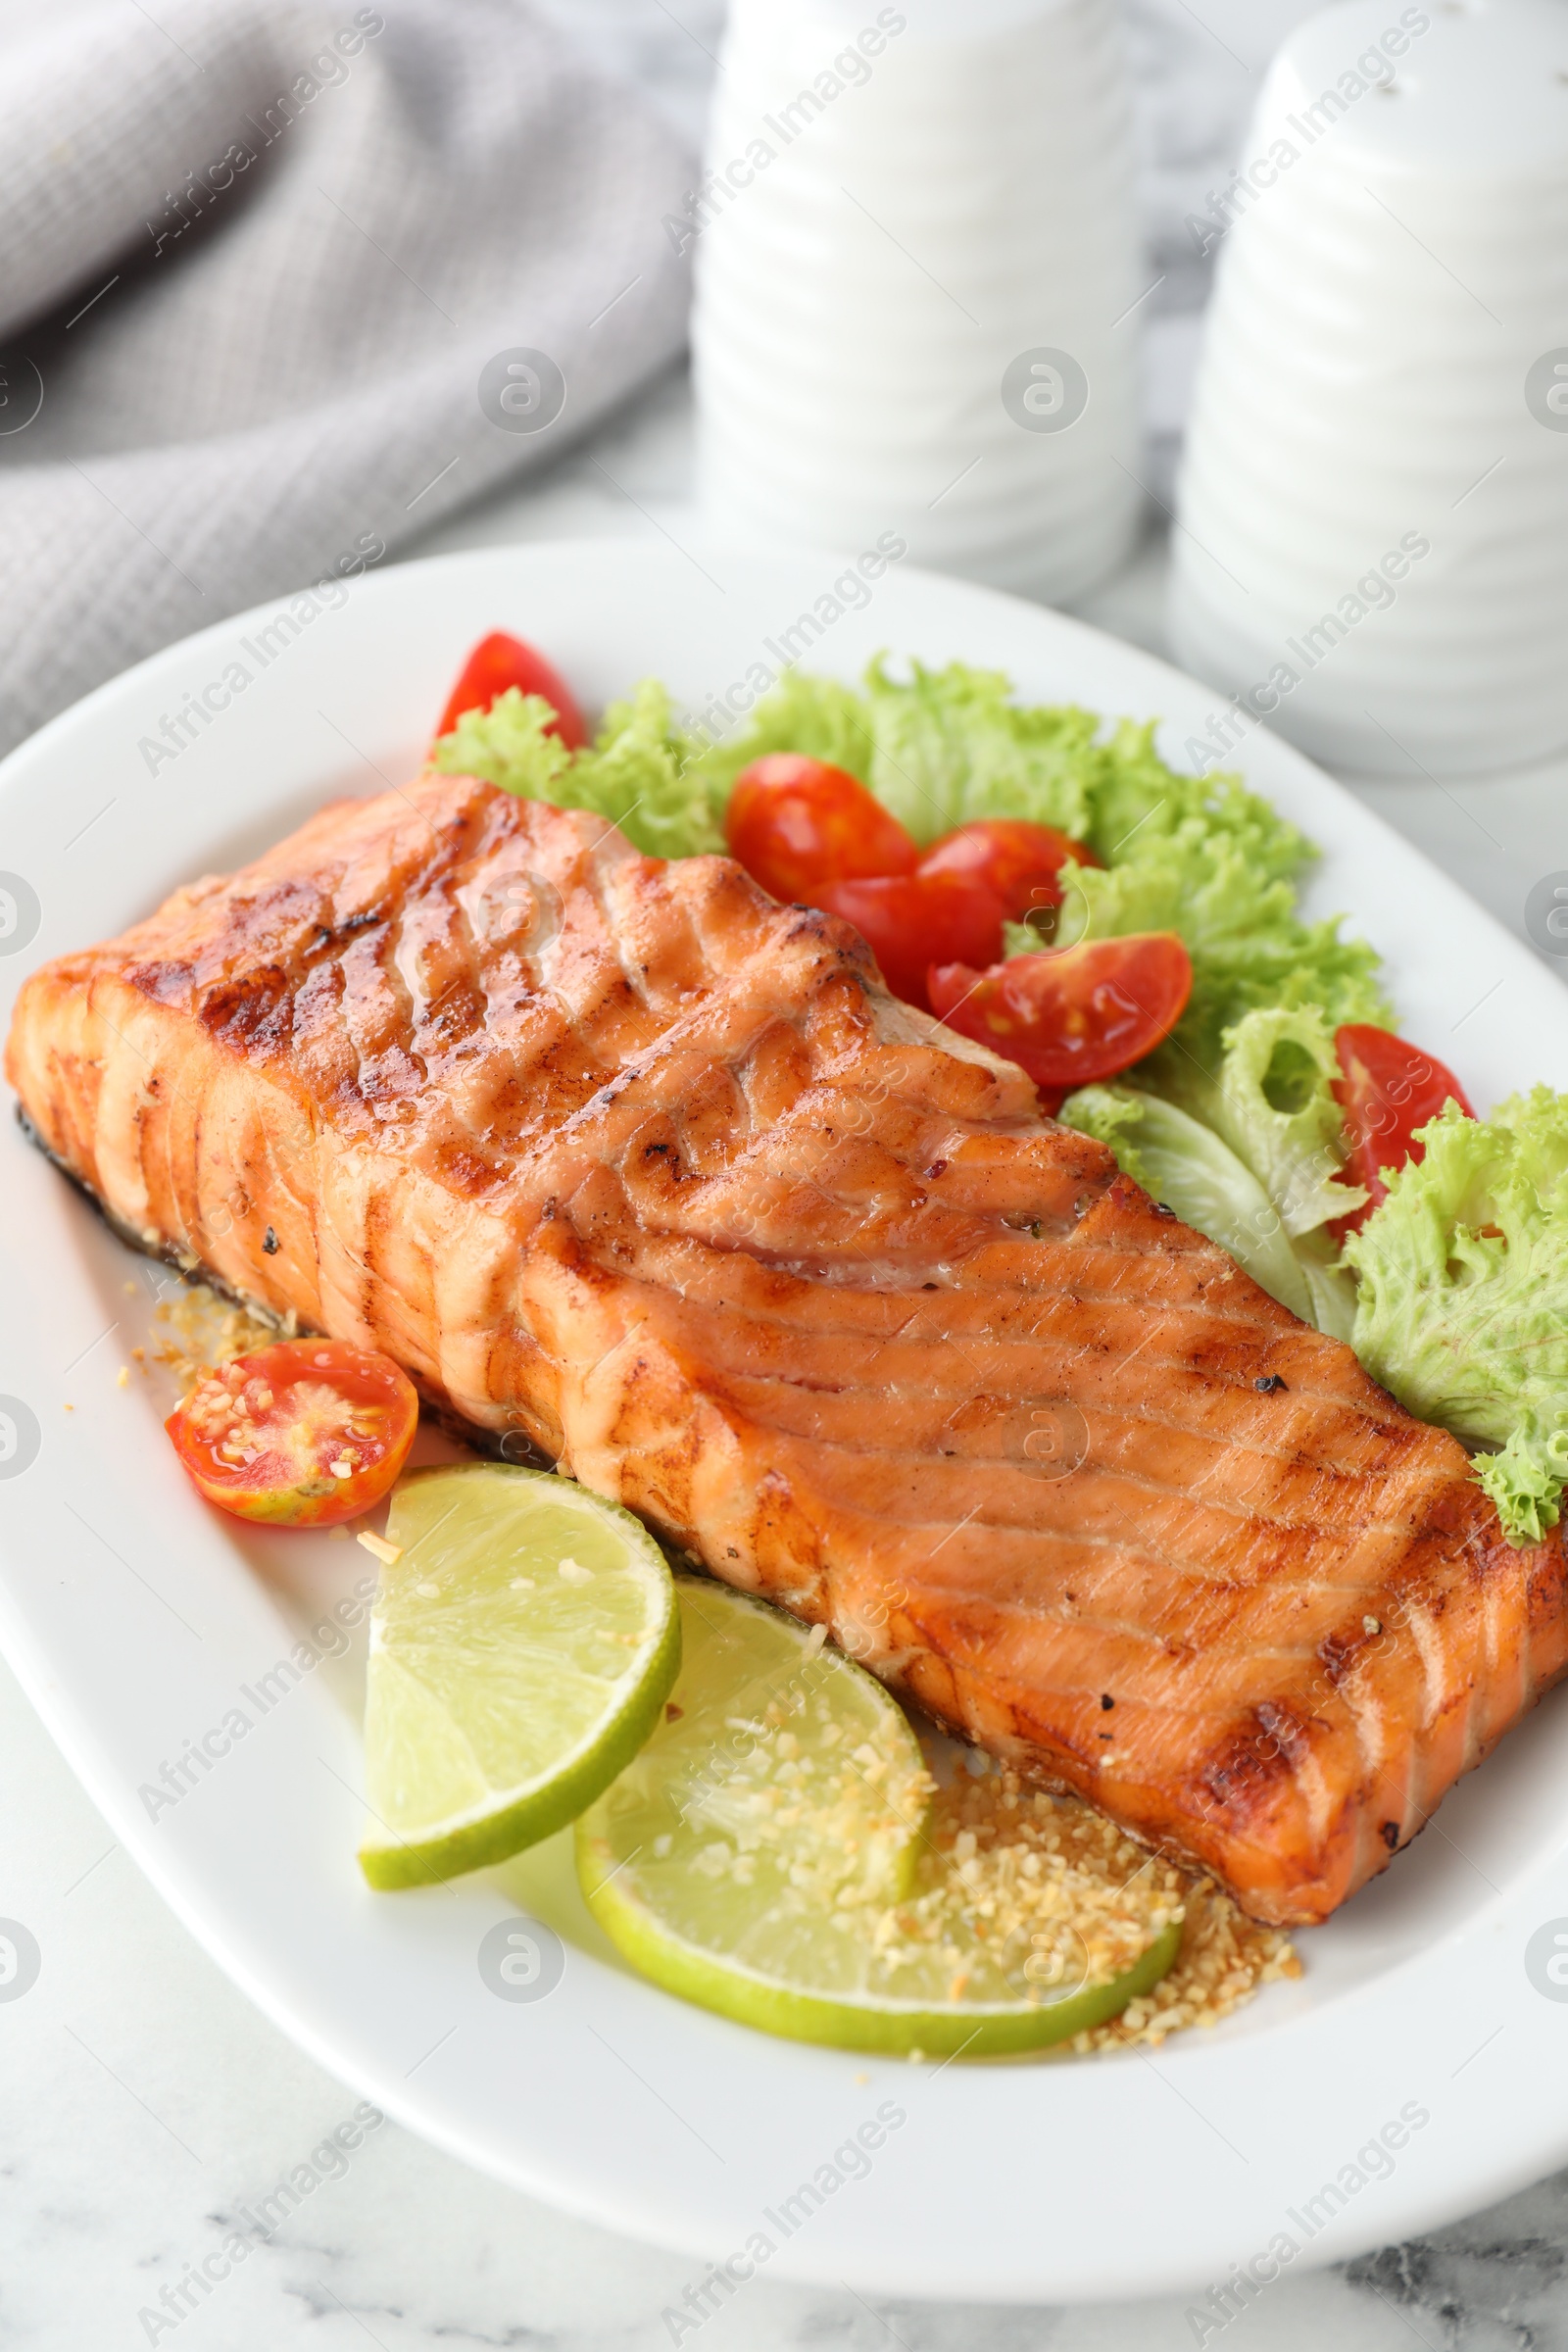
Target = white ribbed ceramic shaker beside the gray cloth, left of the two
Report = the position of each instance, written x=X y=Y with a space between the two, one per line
x=918 y=281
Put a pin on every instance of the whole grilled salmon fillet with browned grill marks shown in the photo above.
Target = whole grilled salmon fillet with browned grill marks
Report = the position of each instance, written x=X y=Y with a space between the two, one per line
x=629 y=1163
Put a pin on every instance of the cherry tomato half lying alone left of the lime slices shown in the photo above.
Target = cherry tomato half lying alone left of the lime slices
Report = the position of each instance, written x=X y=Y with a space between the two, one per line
x=304 y=1434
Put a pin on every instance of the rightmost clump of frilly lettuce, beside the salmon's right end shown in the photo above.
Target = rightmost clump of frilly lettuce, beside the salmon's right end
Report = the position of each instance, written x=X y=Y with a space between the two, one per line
x=1463 y=1304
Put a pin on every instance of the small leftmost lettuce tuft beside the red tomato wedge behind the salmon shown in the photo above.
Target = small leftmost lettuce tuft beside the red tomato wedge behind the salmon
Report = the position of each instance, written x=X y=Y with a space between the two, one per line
x=641 y=770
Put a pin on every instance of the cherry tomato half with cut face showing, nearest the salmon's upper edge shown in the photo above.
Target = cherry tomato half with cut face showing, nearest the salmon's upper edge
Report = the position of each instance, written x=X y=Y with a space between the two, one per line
x=1073 y=1015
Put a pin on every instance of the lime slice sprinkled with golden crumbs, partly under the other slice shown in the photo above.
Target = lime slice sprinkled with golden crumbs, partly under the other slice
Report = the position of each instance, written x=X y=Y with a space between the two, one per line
x=775 y=1855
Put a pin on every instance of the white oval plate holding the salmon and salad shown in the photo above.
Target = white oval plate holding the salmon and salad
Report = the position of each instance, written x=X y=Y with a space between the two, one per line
x=138 y=1619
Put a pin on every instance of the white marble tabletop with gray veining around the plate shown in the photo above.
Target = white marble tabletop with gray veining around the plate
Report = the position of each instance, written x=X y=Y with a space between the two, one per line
x=147 y=2106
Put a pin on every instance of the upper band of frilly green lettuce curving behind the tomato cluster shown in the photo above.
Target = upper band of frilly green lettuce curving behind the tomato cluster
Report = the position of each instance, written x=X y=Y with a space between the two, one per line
x=1191 y=855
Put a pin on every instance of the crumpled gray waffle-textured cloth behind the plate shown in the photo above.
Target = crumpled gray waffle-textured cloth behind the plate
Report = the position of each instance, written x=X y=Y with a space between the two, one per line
x=264 y=279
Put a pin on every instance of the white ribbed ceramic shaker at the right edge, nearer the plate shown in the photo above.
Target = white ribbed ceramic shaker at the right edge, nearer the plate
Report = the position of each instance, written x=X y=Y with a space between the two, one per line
x=1374 y=505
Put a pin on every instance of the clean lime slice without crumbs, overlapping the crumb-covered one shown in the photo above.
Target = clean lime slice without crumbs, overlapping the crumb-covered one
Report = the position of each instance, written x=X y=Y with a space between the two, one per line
x=521 y=1650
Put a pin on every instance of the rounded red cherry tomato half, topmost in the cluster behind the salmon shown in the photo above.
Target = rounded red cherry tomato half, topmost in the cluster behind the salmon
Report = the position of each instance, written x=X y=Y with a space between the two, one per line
x=798 y=824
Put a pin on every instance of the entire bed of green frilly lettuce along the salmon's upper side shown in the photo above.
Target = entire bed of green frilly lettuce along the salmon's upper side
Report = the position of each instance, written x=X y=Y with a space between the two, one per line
x=1463 y=1297
